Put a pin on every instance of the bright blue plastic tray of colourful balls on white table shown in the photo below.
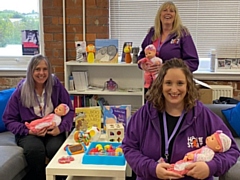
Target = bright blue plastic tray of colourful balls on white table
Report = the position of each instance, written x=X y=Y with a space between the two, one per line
x=104 y=159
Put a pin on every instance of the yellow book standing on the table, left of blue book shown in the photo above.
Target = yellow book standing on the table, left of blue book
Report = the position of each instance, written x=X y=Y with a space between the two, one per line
x=90 y=116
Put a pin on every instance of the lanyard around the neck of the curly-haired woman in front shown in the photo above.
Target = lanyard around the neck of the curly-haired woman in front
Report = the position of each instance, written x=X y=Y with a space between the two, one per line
x=167 y=141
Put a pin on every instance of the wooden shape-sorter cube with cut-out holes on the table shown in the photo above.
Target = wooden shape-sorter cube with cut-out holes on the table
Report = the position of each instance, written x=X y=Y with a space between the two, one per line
x=114 y=132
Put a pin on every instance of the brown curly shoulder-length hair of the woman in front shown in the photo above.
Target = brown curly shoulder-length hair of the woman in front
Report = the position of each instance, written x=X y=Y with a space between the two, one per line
x=155 y=93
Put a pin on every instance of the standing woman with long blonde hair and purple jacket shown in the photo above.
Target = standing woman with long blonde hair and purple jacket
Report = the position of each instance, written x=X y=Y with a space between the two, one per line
x=171 y=39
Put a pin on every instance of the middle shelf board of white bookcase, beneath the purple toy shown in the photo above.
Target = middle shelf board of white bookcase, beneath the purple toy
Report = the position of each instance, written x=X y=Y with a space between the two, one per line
x=105 y=92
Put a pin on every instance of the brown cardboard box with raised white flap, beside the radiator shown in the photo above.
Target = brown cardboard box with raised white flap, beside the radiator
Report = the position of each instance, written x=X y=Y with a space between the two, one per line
x=205 y=91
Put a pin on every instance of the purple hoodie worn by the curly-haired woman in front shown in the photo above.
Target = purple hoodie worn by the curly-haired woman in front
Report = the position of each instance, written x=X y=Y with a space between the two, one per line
x=142 y=141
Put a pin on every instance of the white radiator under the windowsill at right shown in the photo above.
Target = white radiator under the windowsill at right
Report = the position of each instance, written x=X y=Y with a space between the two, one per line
x=221 y=90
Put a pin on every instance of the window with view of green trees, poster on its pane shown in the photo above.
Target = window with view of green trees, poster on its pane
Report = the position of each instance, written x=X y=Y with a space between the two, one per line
x=20 y=32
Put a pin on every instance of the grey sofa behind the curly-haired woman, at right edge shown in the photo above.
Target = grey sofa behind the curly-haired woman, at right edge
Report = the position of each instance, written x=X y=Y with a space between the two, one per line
x=233 y=173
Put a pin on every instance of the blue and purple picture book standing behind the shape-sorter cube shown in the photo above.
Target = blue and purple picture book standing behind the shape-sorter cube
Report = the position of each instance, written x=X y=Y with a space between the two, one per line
x=116 y=114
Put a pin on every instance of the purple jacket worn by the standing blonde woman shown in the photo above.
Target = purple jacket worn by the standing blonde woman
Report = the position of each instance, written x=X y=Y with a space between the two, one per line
x=184 y=49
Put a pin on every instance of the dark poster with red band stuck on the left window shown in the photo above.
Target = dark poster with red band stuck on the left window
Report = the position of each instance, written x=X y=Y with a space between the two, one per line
x=30 y=42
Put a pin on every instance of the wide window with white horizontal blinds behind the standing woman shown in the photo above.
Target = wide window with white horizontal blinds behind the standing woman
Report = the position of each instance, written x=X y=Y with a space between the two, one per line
x=213 y=24
